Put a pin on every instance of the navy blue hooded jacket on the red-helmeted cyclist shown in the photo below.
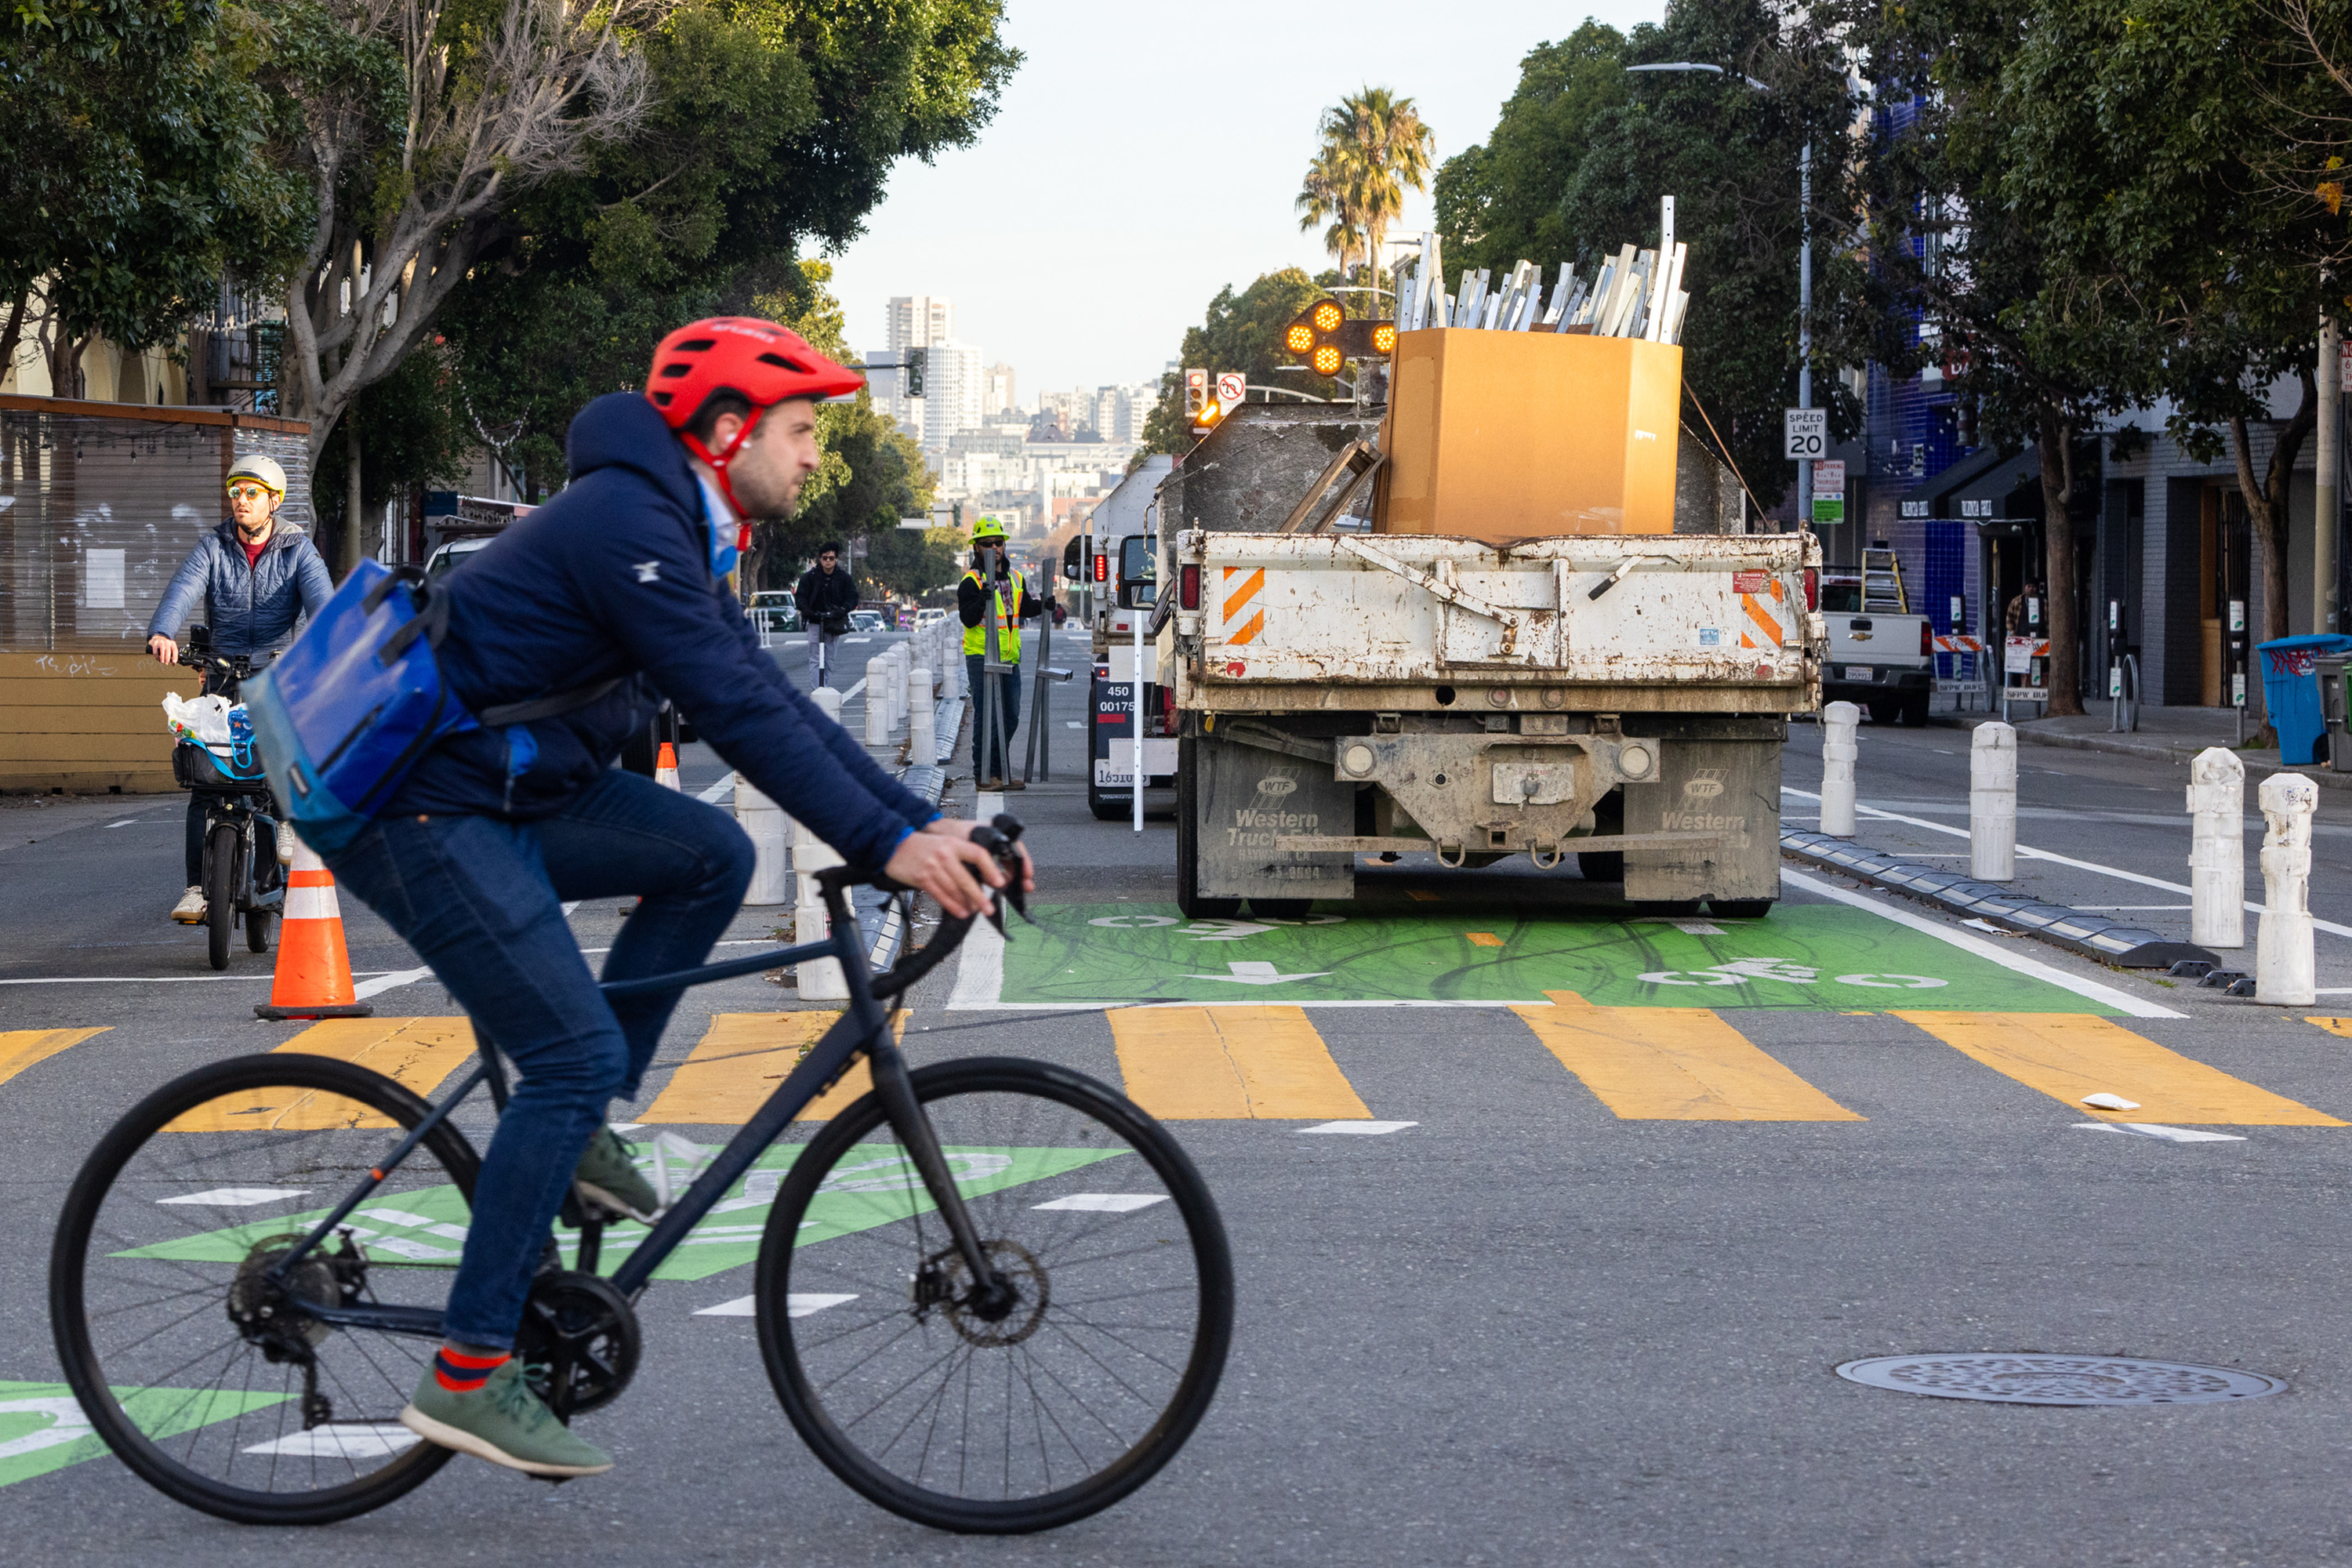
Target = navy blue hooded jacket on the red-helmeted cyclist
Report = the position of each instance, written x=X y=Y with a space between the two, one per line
x=613 y=579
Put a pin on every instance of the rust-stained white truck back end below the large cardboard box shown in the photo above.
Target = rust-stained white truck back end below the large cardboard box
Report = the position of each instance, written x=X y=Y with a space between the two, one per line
x=1622 y=699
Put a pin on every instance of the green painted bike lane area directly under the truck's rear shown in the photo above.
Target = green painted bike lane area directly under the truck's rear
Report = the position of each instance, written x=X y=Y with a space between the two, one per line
x=1824 y=958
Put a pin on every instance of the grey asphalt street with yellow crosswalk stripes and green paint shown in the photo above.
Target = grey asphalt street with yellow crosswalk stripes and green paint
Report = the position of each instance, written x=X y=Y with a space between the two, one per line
x=1641 y=1188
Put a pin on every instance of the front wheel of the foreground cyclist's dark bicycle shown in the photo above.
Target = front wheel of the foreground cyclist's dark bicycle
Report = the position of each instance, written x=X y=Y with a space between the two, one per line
x=1045 y=1402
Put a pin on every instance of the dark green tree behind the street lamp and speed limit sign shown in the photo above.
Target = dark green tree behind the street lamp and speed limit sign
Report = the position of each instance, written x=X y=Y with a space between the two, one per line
x=1732 y=159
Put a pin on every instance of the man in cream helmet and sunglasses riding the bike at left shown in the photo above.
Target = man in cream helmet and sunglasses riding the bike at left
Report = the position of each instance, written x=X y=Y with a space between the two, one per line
x=253 y=577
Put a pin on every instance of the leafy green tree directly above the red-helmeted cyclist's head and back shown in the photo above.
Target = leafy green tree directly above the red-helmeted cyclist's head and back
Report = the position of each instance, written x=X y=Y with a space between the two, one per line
x=773 y=123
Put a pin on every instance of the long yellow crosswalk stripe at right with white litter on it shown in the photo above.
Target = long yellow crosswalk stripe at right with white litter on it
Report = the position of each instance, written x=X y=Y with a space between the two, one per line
x=2078 y=1054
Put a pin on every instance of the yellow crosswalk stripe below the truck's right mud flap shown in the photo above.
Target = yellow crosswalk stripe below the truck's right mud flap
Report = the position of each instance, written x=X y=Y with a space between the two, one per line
x=1673 y=1064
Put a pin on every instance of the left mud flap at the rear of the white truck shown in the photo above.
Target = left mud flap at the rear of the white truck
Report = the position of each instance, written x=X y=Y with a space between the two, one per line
x=1245 y=798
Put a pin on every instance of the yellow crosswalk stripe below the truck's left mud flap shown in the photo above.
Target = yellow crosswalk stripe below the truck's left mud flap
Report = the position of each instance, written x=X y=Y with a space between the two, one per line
x=1231 y=1064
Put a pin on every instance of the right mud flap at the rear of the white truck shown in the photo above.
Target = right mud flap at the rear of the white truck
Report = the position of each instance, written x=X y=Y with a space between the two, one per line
x=1730 y=789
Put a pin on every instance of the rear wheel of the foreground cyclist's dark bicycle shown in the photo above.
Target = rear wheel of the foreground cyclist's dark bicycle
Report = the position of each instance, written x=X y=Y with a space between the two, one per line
x=187 y=1358
